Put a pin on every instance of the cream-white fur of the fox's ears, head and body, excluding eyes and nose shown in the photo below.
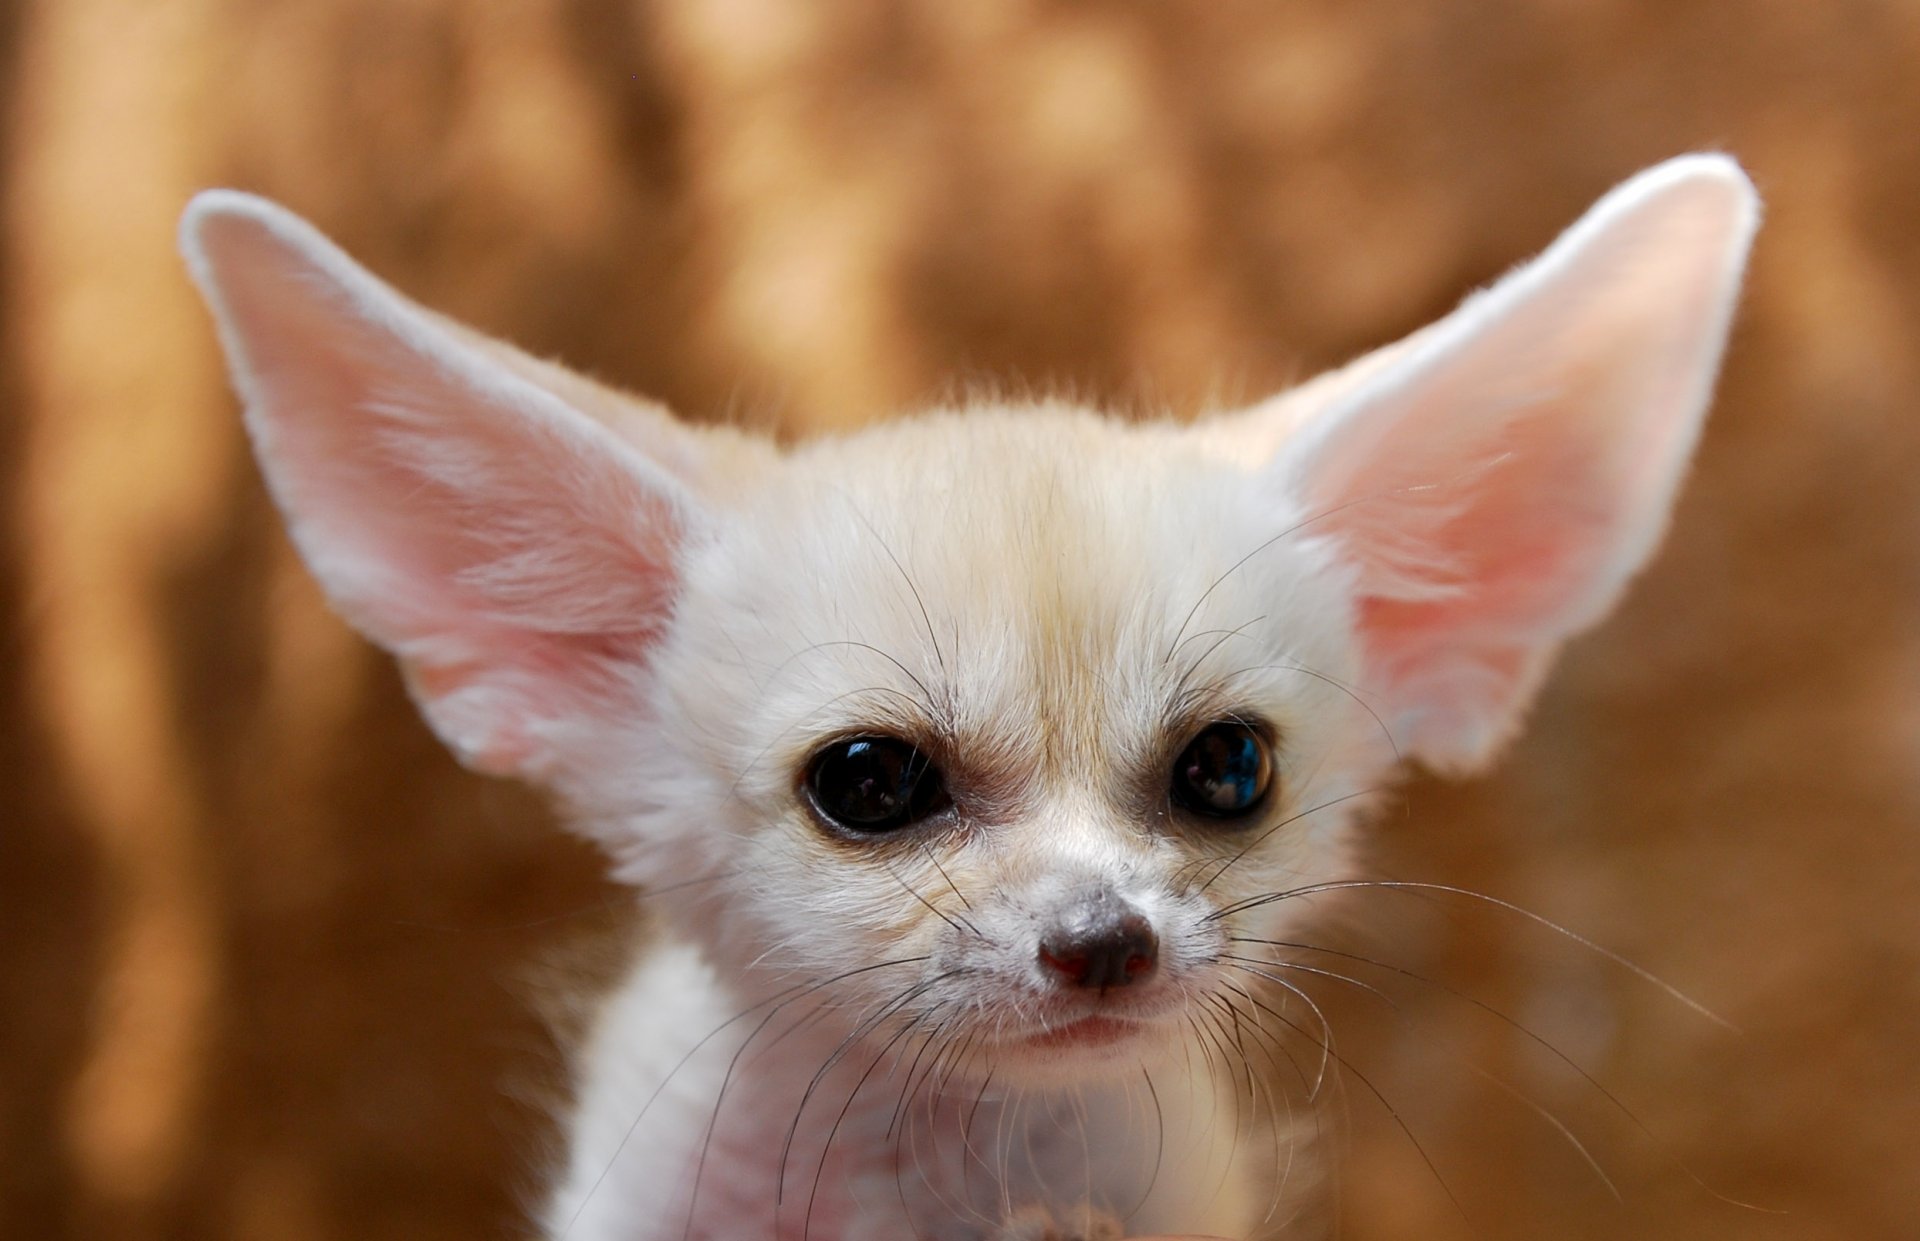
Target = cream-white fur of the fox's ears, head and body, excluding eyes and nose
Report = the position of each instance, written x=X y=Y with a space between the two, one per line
x=665 y=625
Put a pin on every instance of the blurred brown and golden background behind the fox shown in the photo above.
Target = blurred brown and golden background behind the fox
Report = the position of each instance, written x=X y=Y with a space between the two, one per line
x=270 y=961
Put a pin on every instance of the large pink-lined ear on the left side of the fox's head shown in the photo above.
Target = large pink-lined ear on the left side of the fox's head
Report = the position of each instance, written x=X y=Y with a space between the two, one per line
x=456 y=504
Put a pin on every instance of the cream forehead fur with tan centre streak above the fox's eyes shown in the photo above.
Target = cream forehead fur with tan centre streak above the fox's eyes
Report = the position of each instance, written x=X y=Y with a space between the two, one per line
x=1049 y=589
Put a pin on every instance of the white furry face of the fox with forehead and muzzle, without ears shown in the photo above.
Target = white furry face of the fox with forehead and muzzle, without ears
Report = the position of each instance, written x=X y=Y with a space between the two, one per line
x=1026 y=721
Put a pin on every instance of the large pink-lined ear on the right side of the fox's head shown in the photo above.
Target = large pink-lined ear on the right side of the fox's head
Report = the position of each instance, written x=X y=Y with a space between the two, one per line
x=1497 y=479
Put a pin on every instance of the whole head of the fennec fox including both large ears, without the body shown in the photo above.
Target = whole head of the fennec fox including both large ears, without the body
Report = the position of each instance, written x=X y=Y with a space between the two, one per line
x=1036 y=710
